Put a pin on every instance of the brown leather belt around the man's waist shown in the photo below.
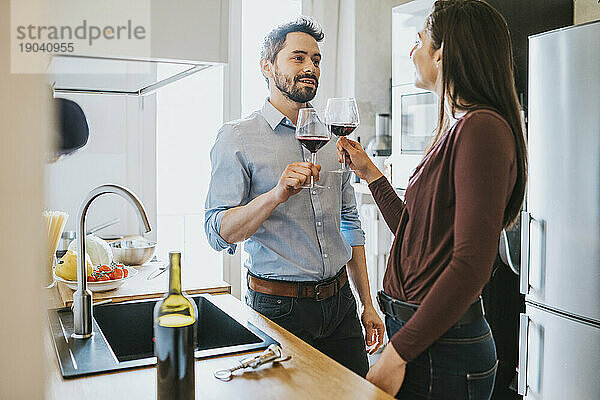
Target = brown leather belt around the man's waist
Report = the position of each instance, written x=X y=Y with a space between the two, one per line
x=314 y=290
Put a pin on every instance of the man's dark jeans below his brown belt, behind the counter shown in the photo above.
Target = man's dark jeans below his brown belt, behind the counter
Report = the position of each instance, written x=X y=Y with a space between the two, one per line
x=330 y=325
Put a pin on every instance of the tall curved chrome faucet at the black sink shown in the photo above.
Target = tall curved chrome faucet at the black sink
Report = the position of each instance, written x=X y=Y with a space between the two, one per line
x=82 y=298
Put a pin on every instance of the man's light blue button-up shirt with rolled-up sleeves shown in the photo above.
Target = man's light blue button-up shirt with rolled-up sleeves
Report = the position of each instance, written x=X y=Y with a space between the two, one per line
x=307 y=238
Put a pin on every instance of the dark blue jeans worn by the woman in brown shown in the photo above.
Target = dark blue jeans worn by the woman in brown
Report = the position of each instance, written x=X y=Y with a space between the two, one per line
x=460 y=365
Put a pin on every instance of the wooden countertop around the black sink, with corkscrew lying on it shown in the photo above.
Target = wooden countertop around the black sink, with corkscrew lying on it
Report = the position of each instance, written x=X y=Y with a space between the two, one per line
x=308 y=375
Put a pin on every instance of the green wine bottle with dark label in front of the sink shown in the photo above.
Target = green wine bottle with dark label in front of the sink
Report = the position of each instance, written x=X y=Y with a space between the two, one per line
x=175 y=319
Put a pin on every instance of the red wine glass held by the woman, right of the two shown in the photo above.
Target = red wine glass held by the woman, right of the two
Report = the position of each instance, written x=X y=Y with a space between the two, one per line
x=341 y=117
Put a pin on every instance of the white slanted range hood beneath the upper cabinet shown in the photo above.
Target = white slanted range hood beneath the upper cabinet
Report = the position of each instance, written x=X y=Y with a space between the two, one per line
x=116 y=76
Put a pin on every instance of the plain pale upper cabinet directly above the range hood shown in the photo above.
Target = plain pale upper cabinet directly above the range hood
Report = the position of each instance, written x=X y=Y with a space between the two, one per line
x=182 y=30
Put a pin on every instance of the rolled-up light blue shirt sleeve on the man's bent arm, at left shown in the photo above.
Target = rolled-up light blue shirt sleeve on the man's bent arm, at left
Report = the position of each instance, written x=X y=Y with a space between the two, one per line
x=229 y=184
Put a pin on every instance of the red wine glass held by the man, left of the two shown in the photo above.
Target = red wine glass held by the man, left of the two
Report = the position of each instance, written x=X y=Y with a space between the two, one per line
x=312 y=134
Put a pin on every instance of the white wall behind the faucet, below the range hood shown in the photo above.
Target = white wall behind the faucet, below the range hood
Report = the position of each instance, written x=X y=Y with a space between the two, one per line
x=121 y=150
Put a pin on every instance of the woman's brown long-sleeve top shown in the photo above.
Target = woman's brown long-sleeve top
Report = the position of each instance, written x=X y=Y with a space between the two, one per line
x=447 y=230
